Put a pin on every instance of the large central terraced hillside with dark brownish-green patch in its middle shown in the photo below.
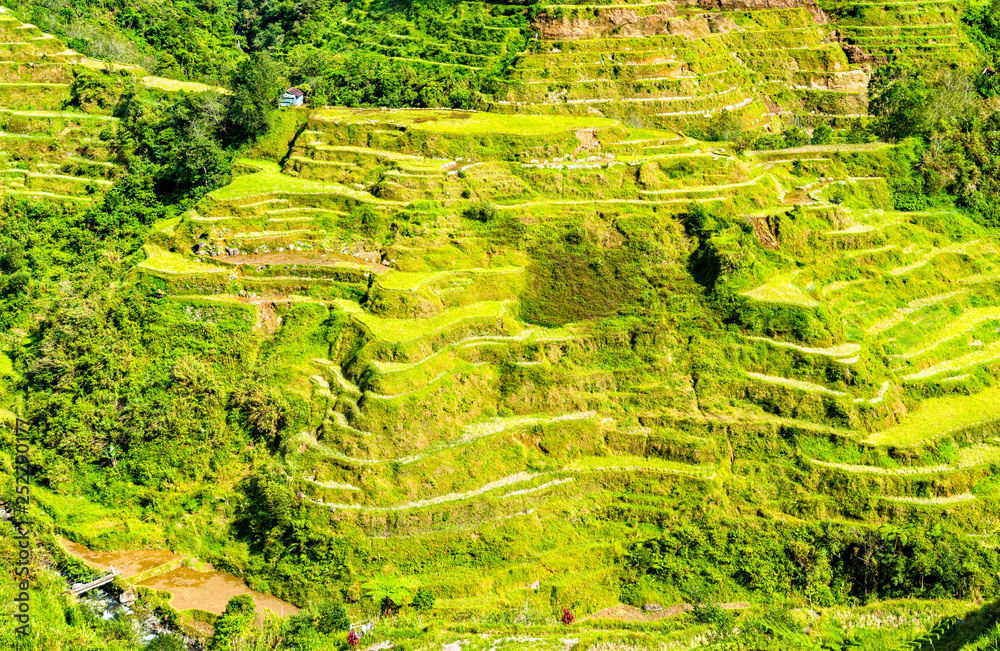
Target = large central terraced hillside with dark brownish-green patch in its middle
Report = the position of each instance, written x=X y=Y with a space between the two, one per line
x=475 y=275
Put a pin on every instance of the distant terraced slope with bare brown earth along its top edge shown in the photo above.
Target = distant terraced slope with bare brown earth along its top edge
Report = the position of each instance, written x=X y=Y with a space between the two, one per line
x=667 y=65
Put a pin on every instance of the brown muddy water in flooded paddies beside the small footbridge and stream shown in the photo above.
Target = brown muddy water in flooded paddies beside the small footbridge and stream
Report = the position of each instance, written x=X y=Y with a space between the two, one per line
x=190 y=589
